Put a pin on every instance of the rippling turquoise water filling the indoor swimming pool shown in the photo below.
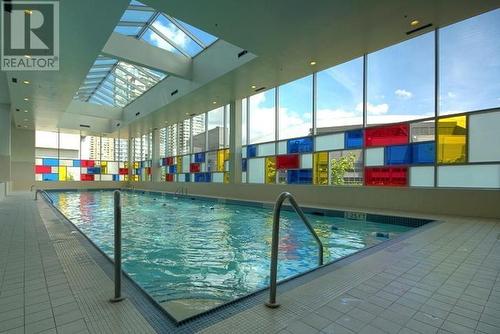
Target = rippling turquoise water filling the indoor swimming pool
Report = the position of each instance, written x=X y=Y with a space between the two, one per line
x=178 y=248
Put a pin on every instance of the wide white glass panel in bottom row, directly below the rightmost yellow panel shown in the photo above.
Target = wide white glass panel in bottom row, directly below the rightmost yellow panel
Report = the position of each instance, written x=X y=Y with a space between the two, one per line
x=476 y=176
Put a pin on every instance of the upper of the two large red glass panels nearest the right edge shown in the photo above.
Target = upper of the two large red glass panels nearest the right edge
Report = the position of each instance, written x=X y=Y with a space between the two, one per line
x=387 y=135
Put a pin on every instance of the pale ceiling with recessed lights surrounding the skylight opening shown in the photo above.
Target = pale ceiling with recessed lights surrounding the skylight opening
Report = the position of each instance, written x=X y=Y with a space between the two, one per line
x=284 y=35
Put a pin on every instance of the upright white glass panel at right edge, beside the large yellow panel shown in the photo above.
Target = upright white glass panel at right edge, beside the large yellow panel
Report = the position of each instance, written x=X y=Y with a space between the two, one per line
x=484 y=137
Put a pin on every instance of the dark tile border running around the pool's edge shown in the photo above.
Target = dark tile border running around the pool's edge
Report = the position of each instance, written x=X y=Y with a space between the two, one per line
x=162 y=322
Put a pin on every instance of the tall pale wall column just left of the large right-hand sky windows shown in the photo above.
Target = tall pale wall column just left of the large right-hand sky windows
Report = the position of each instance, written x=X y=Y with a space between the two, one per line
x=235 y=141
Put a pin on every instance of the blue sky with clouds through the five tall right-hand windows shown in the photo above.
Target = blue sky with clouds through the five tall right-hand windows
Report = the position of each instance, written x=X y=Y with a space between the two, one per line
x=400 y=83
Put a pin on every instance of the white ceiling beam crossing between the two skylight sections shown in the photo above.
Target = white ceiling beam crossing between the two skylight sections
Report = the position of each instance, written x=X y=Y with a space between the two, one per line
x=140 y=53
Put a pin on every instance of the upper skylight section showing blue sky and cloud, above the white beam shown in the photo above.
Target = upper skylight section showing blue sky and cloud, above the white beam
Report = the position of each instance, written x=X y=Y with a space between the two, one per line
x=162 y=30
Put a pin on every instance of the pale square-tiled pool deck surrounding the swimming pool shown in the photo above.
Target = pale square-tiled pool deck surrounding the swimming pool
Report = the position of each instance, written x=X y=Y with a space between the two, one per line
x=443 y=279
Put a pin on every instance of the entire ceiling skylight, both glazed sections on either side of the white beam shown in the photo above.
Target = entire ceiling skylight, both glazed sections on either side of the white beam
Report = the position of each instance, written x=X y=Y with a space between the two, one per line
x=117 y=83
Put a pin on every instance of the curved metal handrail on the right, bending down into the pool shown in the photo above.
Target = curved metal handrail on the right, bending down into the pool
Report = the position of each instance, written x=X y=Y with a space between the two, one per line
x=275 y=242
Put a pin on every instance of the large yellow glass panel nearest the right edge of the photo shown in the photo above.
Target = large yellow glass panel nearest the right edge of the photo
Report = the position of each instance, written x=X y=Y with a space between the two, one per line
x=452 y=140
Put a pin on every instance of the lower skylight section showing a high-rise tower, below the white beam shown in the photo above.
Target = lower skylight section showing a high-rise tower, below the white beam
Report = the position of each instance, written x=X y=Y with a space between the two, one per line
x=116 y=83
